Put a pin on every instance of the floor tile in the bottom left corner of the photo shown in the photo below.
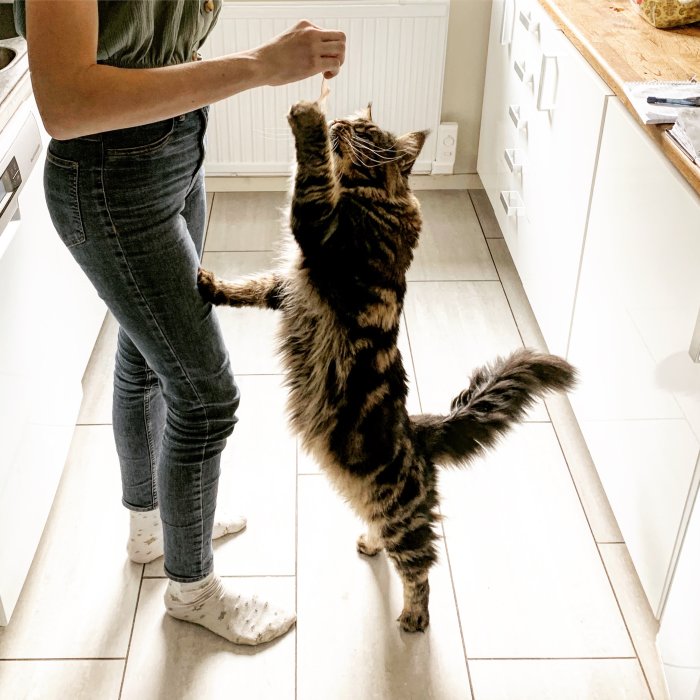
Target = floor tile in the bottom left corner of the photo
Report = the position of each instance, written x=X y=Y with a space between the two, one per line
x=54 y=680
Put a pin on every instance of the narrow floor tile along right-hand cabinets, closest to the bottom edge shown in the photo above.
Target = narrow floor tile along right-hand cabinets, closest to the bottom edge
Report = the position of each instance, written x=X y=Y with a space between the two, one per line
x=637 y=612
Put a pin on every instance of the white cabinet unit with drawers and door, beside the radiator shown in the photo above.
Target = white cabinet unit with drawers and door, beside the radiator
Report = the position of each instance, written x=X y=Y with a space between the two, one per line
x=541 y=121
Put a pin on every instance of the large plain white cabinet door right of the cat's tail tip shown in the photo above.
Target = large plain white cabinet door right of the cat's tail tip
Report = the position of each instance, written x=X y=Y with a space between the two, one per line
x=638 y=403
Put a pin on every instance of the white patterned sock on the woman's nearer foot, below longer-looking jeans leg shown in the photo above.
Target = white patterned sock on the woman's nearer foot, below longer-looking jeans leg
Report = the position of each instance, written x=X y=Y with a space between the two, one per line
x=238 y=618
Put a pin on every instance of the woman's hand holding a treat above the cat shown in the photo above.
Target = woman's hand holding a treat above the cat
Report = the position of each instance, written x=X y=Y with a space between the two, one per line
x=300 y=52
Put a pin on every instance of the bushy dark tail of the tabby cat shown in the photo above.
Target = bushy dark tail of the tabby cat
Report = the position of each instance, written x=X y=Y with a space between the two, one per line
x=498 y=396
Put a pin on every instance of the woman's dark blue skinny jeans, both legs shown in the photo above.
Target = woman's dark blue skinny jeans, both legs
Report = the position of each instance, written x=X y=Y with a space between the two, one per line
x=130 y=206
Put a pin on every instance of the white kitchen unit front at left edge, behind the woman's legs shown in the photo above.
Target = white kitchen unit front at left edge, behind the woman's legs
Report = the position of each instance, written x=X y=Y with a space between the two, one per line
x=50 y=317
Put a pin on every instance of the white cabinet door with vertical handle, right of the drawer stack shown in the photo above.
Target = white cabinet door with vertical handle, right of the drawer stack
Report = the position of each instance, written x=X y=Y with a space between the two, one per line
x=566 y=112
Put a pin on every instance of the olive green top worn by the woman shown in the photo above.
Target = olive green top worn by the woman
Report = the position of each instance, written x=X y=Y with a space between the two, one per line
x=147 y=33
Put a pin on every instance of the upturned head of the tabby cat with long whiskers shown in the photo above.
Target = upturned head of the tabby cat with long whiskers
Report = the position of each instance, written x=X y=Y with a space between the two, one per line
x=366 y=154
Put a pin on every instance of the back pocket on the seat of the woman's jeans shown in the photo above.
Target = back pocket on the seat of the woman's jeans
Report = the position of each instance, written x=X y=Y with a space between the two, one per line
x=61 y=188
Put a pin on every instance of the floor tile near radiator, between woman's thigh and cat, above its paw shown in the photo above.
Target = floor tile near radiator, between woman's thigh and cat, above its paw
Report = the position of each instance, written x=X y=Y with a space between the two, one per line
x=245 y=221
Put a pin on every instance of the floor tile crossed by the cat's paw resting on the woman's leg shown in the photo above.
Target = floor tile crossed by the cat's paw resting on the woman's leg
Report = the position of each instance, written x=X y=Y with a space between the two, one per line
x=250 y=334
